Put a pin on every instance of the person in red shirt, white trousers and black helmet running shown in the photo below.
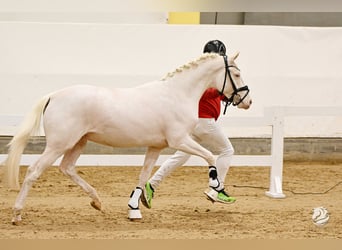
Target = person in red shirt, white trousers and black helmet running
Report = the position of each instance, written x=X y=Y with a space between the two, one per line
x=209 y=134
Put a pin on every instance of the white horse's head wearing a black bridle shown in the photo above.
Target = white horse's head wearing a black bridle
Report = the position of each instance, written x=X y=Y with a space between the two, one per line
x=235 y=90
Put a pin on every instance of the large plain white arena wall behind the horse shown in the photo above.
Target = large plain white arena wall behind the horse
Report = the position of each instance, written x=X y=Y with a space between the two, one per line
x=283 y=66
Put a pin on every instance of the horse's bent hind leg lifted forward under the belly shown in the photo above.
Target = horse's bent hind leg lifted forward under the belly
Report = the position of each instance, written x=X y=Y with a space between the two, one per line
x=68 y=167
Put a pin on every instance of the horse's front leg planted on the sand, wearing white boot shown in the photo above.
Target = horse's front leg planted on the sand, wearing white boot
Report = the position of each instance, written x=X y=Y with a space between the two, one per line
x=151 y=157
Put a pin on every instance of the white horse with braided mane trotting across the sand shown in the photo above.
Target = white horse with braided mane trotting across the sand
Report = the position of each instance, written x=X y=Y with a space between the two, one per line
x=158 y=114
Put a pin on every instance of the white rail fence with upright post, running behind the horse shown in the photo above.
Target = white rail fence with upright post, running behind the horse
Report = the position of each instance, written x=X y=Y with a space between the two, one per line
x=273 y=116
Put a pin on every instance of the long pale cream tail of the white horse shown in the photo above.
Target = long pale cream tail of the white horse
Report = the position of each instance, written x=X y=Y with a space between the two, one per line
x=30 y=125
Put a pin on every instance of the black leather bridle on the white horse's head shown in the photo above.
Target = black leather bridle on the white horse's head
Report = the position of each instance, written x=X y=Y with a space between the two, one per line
x=235 y=99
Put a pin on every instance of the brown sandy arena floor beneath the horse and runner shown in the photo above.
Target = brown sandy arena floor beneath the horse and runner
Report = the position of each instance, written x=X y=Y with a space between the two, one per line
x=58 y=209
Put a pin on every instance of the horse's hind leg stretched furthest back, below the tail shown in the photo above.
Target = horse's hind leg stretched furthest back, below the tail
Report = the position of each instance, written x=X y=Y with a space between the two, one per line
x=33 y=172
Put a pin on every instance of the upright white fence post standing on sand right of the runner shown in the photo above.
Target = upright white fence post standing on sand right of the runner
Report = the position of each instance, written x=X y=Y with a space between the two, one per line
x=277 y=152
